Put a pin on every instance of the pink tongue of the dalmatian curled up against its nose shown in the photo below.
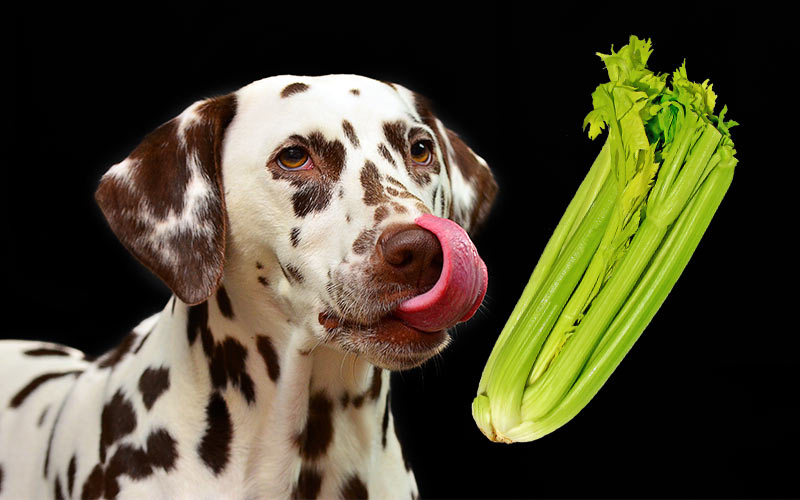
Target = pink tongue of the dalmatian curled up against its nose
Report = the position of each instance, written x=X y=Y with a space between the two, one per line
x=460 y=289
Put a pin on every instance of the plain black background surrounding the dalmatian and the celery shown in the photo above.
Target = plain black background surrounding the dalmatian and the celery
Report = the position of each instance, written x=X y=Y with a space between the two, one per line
x=705 y=405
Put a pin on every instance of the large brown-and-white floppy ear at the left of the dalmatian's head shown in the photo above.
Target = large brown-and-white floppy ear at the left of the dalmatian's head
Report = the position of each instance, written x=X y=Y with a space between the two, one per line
x=165 y=201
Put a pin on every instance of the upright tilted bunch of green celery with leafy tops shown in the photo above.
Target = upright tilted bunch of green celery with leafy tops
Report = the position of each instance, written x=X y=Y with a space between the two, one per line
x=618 y=250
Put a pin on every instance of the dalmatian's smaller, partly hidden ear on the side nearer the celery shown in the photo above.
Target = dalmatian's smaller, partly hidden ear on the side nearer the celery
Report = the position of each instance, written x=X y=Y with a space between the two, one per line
x=471 y=181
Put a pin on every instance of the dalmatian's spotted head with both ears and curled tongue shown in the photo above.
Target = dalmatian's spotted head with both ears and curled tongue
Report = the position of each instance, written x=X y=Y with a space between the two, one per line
x=330 y=196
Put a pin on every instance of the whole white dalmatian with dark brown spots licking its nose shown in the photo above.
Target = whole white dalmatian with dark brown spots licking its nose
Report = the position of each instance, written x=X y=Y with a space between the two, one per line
x=314 y=232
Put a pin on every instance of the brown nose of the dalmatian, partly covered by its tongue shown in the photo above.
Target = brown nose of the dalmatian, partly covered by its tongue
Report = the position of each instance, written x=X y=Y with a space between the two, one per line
x=410 y=255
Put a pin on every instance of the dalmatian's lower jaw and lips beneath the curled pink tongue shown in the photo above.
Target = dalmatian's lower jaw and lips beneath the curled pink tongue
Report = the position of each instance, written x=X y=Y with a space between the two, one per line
x=388 y=342
